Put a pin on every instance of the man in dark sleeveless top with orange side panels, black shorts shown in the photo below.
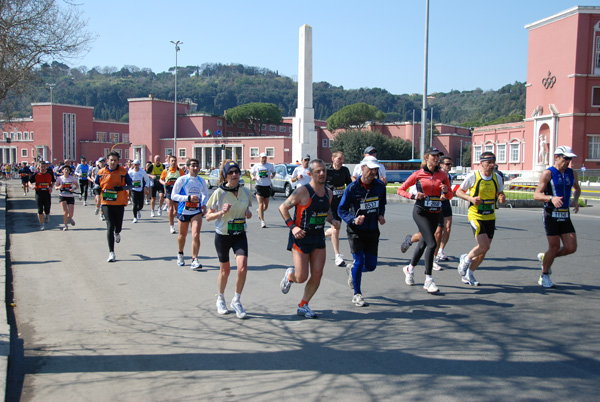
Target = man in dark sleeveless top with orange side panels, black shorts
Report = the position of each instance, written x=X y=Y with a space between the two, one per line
x=307 y=236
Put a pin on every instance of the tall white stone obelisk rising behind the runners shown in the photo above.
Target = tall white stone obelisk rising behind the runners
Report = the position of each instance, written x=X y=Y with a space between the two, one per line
x=304 y=135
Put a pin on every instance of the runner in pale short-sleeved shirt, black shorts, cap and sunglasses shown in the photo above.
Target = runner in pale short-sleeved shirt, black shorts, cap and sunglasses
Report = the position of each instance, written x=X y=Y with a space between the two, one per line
x=229 y=206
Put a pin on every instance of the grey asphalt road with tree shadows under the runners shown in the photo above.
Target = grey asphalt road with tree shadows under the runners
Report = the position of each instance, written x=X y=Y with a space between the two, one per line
x=144 y=329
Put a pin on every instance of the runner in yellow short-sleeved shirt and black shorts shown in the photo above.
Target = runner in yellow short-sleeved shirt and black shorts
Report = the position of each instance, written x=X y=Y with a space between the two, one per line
x=484 y=187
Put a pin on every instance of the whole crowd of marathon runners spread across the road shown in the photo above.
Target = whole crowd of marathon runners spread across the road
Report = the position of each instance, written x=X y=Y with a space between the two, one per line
x=324 y=194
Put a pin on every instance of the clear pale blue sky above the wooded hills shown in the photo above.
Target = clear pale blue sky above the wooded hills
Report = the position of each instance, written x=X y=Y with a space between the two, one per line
x=356 y=44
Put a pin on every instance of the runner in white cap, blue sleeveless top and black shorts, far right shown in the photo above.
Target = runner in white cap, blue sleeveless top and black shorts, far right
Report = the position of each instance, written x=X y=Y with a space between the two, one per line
x=554 y=188
